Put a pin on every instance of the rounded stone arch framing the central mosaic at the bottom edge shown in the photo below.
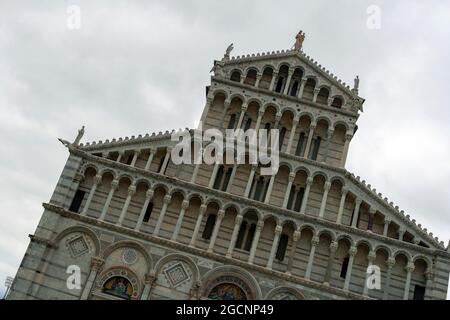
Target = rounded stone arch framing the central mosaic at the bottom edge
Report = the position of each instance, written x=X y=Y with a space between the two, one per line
x=223 y=274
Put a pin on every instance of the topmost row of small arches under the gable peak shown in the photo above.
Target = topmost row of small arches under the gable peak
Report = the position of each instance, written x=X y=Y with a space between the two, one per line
x=289 y=81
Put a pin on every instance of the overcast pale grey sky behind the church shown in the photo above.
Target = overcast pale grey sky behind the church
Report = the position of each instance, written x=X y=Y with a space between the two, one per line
x=135 y=68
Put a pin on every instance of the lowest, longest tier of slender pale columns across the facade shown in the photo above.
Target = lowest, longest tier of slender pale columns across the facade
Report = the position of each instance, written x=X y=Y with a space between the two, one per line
x=237 y=225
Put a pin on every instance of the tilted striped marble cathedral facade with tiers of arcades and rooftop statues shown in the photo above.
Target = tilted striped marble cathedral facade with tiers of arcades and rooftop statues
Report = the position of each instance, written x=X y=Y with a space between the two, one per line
x=137 y=226
